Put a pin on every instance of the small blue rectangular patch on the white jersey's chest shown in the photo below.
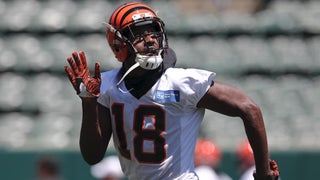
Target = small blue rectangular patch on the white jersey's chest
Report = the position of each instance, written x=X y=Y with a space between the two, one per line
x=167 y=96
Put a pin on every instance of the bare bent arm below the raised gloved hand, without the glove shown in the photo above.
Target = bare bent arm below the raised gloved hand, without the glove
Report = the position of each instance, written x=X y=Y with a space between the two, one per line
x=96 y=130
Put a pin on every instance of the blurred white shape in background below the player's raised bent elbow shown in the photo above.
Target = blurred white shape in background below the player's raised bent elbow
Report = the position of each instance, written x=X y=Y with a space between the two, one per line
x=108 y=169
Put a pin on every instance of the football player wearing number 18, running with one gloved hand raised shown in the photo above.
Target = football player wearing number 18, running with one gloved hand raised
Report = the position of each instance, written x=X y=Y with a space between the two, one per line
x=152 y=109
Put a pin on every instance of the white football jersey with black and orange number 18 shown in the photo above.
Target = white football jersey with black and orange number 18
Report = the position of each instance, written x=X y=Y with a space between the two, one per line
x=155 y=135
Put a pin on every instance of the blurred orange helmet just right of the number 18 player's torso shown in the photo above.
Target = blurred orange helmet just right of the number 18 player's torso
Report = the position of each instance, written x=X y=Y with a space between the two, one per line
x=207 y=153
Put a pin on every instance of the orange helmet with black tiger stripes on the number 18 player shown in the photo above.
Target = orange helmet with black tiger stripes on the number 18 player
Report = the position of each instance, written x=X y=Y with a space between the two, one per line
x=123 y=20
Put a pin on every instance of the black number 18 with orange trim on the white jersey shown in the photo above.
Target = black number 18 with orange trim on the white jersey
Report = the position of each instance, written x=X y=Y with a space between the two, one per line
x=141 y=134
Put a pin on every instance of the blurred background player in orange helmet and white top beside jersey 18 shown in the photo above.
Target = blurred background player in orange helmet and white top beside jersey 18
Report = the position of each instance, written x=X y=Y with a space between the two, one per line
x=207 y=160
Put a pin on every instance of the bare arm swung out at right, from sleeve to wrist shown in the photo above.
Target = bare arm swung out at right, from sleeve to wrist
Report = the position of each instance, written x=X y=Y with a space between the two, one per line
x=227 y=100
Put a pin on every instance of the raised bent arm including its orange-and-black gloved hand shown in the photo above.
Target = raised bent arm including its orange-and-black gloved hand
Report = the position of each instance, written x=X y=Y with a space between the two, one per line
x=96 y=124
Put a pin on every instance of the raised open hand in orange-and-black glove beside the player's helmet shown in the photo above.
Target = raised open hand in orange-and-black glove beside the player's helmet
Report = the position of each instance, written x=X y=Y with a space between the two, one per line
x=80 y=78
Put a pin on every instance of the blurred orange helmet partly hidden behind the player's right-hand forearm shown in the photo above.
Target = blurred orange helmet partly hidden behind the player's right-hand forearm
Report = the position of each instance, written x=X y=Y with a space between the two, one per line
x=245 y=154
